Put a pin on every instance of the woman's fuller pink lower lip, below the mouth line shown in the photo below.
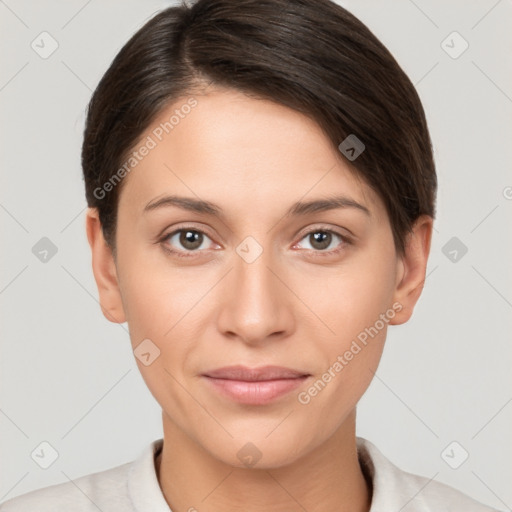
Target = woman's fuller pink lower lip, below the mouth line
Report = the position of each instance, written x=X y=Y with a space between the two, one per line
x=255 y=393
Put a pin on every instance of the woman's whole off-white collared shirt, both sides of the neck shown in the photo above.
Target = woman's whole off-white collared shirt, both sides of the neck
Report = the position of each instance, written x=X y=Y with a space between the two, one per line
x=134 y=487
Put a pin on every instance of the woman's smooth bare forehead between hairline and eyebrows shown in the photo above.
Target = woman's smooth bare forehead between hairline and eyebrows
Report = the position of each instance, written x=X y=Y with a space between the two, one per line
x=245 y=152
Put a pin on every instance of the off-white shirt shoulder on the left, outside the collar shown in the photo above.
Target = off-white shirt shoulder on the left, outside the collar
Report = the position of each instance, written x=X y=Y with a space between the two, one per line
x=104 y=490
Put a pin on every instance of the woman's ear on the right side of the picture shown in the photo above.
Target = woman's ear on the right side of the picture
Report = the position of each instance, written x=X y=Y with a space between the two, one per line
x=412 y=267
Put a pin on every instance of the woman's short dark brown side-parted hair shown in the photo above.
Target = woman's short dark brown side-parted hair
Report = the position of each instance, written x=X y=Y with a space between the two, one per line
x=310 y=55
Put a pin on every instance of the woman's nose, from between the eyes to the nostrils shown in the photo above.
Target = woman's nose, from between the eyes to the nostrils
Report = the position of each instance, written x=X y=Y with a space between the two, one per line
x=256 y=305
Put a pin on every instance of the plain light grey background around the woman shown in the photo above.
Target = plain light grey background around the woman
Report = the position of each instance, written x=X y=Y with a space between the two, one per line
x=68 y=376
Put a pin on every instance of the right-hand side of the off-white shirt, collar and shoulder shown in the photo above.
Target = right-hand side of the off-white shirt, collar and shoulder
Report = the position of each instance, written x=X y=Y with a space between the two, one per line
x=394 y=488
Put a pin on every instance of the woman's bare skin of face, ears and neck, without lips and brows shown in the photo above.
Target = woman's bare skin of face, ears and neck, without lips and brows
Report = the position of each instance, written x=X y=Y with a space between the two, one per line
x=254 y=158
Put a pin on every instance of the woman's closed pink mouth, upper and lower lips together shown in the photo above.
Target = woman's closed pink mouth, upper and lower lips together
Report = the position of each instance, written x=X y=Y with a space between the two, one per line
x=256 y=386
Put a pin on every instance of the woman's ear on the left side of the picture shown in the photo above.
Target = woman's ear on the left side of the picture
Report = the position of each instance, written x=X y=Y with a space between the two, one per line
x=104 y=269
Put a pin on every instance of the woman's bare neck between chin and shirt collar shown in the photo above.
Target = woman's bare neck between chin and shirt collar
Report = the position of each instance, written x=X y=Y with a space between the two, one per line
x=327 y=478
